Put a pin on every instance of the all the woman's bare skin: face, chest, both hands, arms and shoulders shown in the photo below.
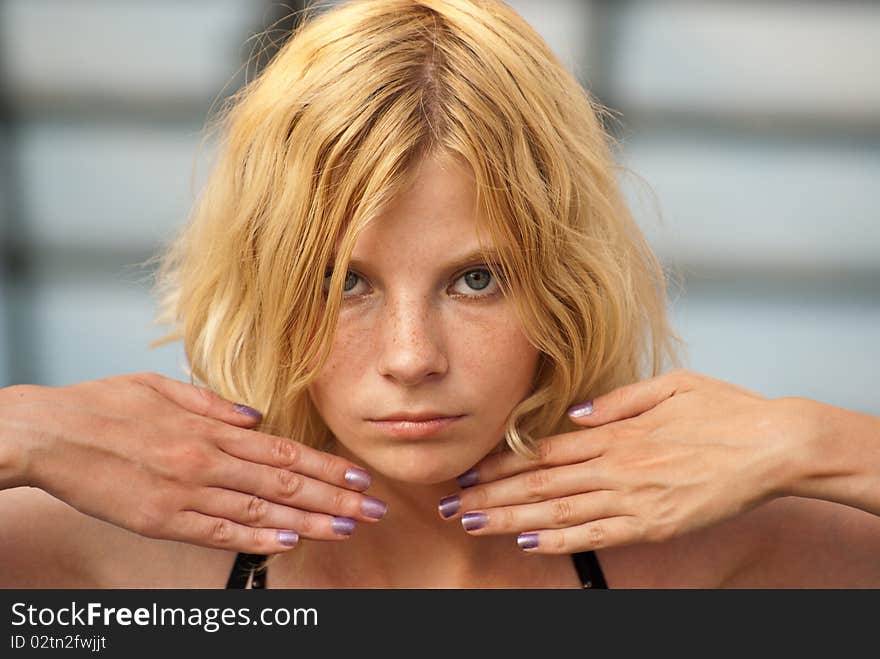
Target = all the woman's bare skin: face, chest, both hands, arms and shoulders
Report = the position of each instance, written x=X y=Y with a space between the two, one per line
x=677 y=481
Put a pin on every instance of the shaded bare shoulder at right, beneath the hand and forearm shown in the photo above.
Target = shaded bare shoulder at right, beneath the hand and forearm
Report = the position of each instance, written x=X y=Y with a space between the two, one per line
x=787 y=543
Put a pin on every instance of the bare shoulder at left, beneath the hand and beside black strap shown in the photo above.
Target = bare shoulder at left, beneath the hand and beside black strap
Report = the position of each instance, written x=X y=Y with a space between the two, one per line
x=48 y=544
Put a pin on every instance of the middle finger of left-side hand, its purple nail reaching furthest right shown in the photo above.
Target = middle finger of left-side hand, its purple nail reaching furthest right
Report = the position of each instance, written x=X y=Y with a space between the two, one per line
x=296 y=490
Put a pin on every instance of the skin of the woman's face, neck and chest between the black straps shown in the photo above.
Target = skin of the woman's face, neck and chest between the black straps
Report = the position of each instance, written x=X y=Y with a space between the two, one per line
x=416 y=333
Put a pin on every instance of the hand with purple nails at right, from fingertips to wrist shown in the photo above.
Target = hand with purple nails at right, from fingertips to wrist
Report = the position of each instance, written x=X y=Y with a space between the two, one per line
x=655 y=459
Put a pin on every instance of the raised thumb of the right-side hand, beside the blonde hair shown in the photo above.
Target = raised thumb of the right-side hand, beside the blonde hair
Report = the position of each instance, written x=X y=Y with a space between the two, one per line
x=631 y=400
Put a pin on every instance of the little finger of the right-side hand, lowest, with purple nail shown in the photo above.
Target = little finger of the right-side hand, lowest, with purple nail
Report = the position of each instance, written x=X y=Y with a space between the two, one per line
x=621 y=530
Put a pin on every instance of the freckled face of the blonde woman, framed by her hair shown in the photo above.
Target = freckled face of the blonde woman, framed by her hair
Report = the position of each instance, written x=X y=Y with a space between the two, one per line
x=423 y=330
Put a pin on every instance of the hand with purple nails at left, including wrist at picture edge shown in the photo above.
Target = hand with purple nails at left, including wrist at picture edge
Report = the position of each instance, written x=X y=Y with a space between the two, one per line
x=170 y=460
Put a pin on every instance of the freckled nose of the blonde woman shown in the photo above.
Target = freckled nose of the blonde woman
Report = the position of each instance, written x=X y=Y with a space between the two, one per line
x=412 y=345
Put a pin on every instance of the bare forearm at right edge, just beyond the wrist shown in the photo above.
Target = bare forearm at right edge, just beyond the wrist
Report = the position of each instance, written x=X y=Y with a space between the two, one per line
x=840 y=460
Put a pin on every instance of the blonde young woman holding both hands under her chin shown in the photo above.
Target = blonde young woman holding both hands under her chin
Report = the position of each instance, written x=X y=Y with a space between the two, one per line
x=413 y=258
